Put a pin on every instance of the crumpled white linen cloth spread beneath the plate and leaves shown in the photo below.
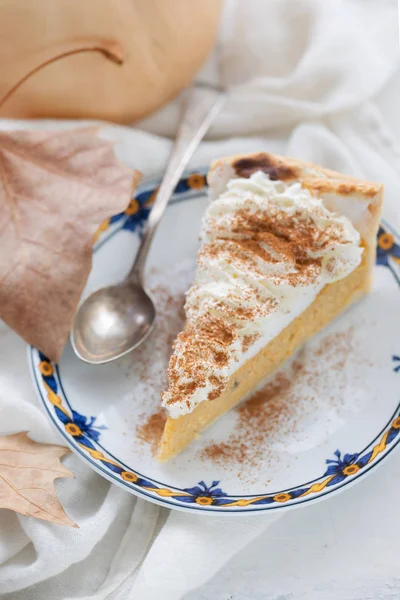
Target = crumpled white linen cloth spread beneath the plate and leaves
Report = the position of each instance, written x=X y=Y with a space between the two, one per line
x=316 y=80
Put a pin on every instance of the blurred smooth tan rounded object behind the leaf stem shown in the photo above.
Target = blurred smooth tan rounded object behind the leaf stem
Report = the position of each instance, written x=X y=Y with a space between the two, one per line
x=160 y=44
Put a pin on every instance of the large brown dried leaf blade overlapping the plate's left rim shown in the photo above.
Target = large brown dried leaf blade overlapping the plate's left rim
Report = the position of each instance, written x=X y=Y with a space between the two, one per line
x=55 y=191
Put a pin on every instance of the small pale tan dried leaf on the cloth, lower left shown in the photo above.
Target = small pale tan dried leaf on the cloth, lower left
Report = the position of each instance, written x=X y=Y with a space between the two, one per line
x=27 y=473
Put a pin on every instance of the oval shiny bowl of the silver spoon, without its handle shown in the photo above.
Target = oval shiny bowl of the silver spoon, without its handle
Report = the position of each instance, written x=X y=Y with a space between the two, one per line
x=112 y=322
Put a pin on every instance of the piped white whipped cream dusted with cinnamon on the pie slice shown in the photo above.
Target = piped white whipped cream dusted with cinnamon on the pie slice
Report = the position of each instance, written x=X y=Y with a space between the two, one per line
x=268 y=249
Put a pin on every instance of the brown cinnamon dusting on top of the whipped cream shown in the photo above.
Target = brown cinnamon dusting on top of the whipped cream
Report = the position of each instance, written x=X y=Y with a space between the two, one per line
x=249 y=241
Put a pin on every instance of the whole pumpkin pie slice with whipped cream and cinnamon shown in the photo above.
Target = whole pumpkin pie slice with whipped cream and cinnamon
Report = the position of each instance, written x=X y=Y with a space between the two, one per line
x=286 y=247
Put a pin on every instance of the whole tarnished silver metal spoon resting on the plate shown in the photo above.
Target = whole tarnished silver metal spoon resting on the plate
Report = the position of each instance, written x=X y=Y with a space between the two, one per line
x=116 y=319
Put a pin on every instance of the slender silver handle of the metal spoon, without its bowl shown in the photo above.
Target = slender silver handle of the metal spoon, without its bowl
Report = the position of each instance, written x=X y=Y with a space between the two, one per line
x=201 y=107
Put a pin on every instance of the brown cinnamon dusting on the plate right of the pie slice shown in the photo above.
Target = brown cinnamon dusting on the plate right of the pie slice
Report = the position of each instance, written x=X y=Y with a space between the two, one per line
x=273 y=415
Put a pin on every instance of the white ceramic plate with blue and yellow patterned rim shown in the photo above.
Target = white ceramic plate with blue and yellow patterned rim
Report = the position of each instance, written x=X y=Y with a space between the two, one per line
x=322 y=423
